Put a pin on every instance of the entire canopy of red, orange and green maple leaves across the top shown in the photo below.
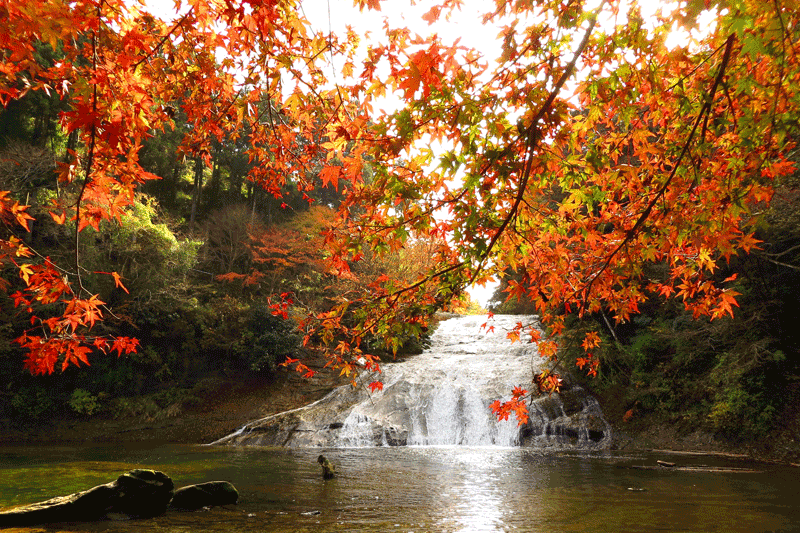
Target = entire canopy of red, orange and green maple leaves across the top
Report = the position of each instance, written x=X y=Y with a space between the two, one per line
x=589 y=149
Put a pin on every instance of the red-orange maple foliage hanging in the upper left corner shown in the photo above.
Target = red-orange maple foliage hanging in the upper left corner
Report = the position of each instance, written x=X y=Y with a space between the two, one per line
x=122 y=70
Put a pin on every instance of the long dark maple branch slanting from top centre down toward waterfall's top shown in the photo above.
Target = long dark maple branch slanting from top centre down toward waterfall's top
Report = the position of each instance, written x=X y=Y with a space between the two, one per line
x=533 y=136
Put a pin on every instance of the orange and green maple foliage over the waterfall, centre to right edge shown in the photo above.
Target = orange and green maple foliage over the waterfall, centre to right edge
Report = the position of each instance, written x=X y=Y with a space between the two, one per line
x=589 y=150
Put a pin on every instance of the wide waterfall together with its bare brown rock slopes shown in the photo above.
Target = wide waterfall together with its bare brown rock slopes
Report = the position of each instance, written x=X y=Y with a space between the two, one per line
x=441 y=397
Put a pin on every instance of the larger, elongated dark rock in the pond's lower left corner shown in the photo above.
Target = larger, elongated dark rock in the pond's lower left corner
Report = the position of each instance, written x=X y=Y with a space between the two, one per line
x=136 y=494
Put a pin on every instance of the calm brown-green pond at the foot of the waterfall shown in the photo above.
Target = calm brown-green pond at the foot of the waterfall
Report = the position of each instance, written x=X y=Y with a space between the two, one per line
x=422 y=489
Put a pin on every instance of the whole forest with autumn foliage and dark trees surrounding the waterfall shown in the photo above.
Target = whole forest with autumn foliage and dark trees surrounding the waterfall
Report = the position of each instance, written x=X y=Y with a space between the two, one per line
x=229 y=190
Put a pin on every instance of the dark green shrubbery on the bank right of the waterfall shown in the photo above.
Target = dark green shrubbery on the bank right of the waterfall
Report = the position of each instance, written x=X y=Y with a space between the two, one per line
x=729 y=376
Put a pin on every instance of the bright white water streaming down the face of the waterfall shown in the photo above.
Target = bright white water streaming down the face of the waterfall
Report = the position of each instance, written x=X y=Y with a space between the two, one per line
x=445 y=393
